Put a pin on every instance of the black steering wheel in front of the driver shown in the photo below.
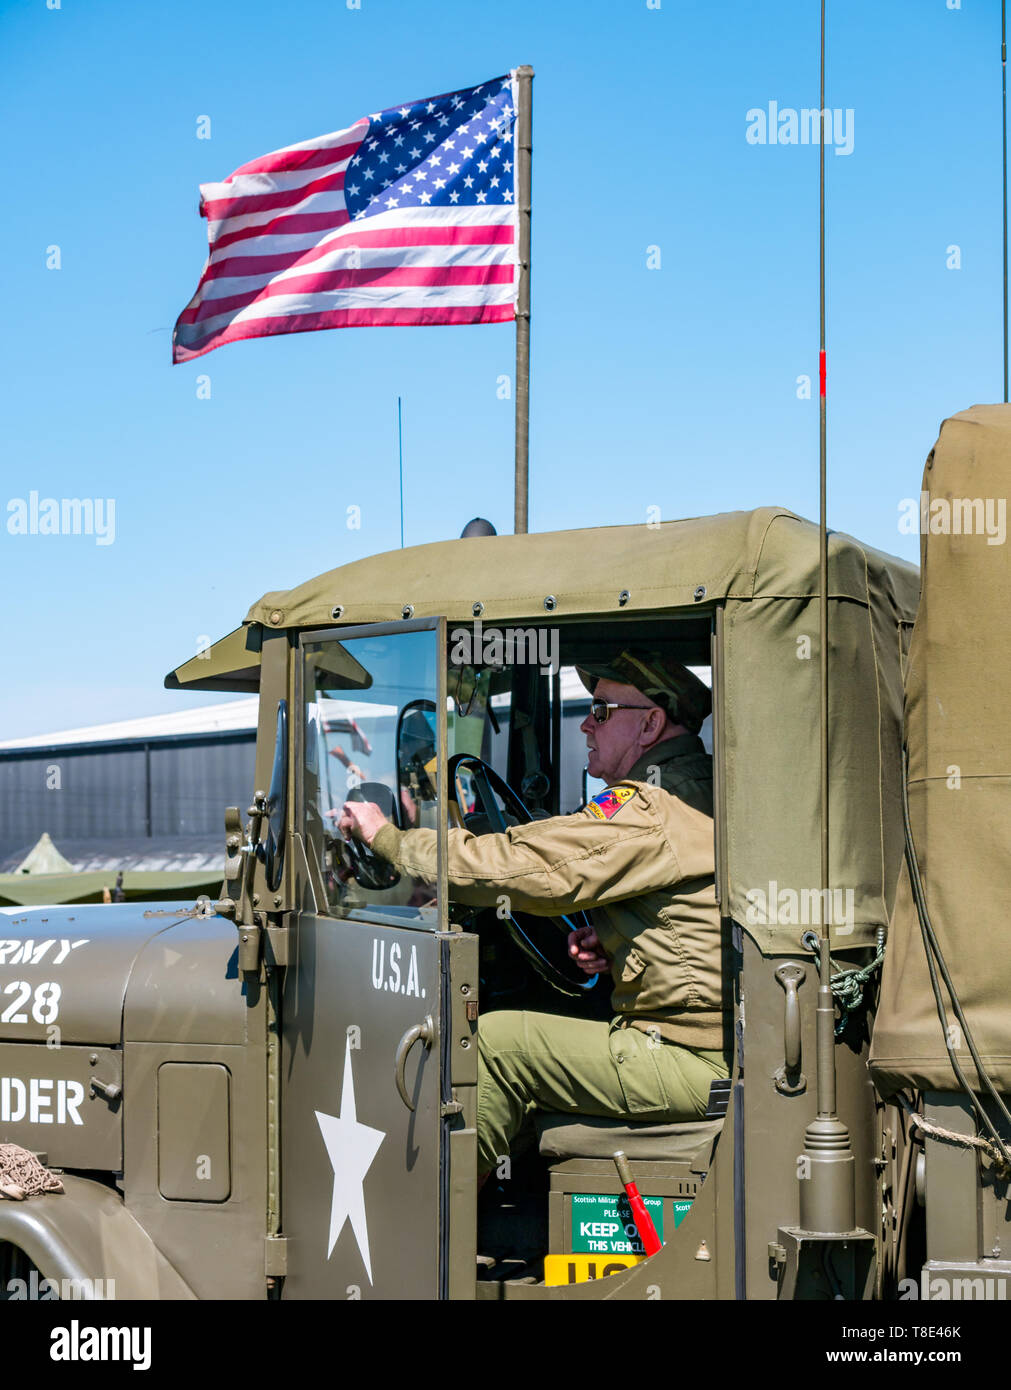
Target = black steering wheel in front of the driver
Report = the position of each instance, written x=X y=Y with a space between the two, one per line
x=542 y=940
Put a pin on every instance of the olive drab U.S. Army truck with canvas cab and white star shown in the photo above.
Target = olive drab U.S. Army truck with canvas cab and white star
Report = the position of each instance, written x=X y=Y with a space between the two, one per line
x=273 y=1096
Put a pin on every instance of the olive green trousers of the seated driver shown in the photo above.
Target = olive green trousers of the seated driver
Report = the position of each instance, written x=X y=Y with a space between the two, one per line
x=581 y=1067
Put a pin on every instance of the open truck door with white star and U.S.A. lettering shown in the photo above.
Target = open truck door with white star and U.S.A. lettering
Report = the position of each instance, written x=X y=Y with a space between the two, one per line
x=378 y=1042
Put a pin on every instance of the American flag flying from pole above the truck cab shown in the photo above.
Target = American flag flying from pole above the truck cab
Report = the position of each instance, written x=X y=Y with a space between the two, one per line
x=407 y=218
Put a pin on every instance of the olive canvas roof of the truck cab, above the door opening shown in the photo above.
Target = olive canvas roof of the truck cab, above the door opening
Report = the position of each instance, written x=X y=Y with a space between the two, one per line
x=670 y=565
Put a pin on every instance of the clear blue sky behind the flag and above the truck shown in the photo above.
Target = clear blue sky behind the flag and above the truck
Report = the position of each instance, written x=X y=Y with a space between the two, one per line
x=672 y=387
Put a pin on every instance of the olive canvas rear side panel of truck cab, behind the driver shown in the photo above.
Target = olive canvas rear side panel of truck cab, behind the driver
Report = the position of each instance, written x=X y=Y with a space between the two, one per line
x=773 y=739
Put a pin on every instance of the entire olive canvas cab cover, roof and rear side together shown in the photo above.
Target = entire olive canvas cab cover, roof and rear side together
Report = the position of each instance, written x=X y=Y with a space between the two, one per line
x=763 y=568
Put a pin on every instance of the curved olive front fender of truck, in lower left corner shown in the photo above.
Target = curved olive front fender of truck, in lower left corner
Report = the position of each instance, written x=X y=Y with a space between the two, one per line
x=86 y=1234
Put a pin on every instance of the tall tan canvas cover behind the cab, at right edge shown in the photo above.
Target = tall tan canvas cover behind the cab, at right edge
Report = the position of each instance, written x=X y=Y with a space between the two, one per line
x=959 y=737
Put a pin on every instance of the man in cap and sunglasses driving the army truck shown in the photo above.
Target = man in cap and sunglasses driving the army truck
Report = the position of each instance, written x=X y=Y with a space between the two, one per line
x=639 y=858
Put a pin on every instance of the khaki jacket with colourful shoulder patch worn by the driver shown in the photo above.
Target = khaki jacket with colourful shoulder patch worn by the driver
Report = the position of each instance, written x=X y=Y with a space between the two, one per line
x=640 y=860
